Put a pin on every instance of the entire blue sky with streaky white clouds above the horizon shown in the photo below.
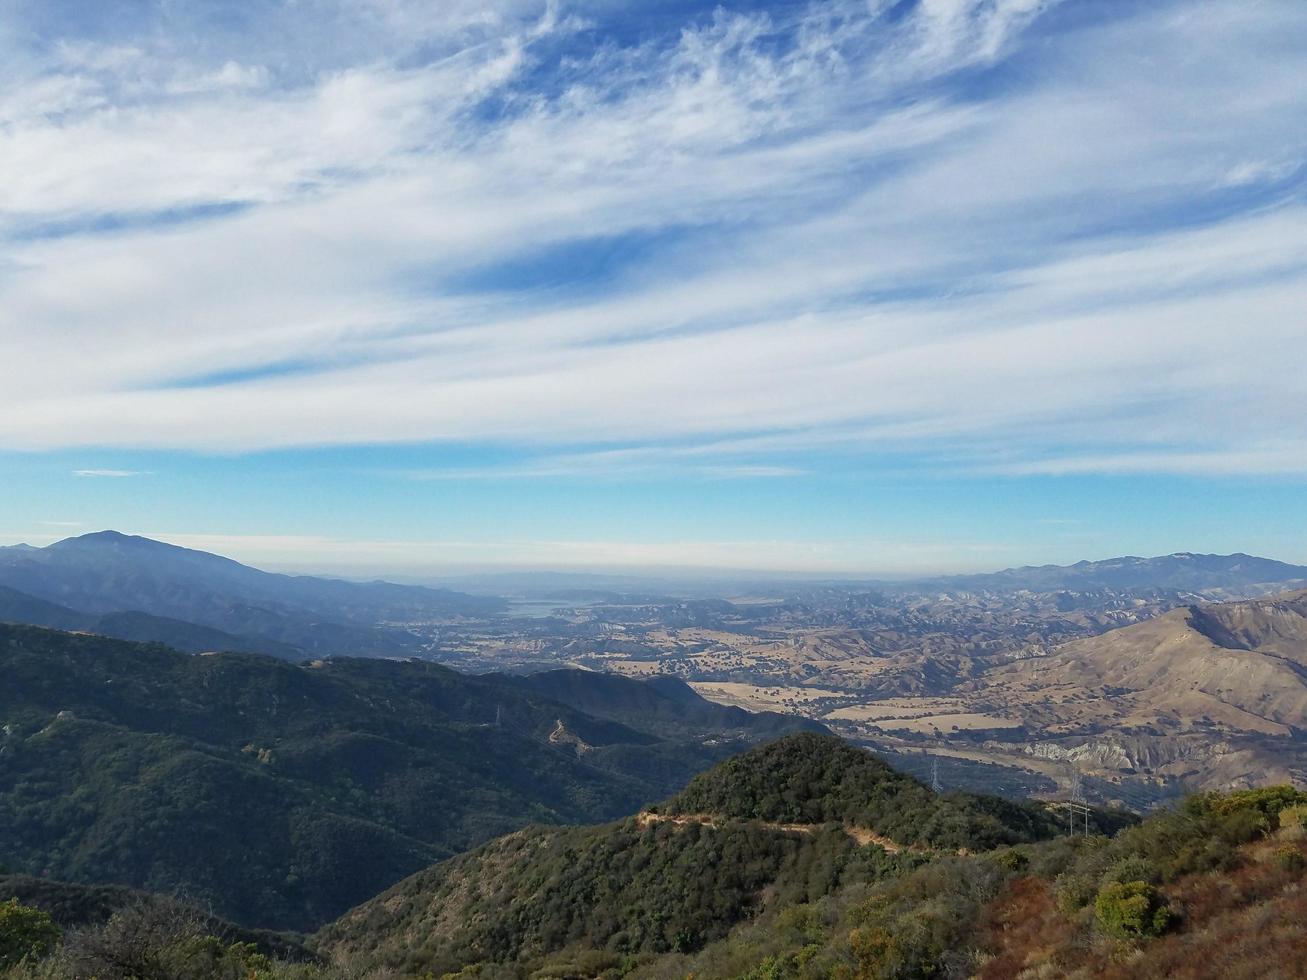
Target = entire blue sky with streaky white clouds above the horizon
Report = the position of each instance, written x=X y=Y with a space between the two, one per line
x=840 y=288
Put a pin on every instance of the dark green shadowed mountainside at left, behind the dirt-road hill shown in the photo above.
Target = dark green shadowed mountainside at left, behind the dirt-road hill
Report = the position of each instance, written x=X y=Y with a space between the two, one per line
x=283 y=794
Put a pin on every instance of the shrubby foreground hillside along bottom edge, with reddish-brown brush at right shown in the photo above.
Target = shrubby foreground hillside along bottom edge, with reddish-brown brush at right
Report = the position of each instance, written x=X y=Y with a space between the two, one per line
x=1212 y=889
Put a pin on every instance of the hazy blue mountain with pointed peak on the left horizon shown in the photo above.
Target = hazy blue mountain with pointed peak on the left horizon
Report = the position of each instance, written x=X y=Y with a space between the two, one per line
x=173 y=593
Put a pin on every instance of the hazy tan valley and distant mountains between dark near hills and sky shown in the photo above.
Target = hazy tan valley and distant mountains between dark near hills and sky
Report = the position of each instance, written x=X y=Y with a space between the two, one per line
x=1138 y=680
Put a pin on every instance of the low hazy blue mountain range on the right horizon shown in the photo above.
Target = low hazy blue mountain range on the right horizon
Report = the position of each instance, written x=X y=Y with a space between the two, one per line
x=1210 y=576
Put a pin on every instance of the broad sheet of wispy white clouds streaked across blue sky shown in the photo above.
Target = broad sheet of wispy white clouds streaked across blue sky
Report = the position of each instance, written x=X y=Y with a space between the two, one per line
x=853 y=240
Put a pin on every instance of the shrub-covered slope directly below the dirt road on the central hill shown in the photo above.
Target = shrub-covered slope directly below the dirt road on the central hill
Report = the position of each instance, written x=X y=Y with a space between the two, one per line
x=624 y=888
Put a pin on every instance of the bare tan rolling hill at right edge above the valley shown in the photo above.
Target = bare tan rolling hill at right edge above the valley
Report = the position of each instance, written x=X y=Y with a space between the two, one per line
x=1215 y=694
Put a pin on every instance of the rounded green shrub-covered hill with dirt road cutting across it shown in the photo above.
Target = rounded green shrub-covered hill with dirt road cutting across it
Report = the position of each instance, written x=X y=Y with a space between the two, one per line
x=654 y=884
